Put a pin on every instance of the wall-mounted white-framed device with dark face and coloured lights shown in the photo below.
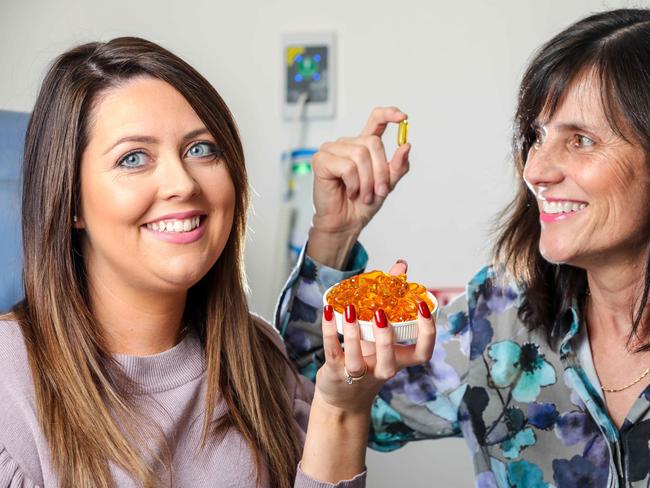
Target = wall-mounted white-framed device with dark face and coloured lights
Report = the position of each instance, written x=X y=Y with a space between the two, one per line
x=309 y=66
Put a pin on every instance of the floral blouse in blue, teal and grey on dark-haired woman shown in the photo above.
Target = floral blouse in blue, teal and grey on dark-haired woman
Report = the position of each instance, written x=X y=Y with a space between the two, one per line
x=531 y=416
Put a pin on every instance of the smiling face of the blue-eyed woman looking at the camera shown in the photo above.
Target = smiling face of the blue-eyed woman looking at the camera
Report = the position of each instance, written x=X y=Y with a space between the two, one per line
x=157 y=200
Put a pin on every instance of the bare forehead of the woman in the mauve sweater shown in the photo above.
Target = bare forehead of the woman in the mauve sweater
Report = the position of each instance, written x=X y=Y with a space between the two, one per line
x=145 y=106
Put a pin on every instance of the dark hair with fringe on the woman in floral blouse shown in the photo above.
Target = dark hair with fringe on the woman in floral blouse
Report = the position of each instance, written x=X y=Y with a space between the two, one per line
x=615 y=46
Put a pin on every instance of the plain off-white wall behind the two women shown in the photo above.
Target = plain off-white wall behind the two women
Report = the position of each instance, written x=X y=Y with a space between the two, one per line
x=452 y=66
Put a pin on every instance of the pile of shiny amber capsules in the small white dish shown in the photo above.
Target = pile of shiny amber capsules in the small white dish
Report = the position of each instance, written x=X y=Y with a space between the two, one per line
x=369 y=291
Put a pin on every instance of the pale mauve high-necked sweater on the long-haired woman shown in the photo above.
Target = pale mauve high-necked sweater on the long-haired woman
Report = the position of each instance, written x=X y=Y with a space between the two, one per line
x=173 y=387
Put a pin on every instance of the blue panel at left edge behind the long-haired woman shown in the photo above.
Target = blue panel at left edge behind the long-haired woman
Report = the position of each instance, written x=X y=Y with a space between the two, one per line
x=12 y=135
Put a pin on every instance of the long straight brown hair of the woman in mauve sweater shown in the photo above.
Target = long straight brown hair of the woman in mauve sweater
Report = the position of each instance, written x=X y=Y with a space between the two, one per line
x=85 y=415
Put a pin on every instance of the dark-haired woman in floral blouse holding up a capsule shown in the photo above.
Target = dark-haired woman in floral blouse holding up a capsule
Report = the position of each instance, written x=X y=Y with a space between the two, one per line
x=544 y=364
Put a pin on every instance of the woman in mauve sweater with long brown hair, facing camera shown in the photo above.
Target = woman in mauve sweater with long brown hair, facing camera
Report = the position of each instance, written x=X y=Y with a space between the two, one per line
x=133 y=359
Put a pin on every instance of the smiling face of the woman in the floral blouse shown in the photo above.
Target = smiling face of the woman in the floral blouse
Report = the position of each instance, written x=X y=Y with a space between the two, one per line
x=591 y=184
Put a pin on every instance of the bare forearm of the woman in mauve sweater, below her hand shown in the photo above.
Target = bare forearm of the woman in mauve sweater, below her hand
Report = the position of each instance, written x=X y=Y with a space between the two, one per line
x=335 y=446
